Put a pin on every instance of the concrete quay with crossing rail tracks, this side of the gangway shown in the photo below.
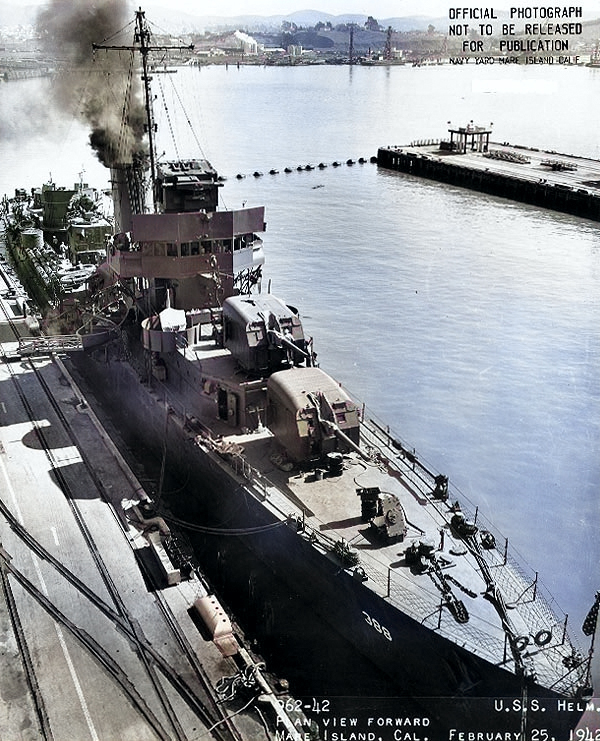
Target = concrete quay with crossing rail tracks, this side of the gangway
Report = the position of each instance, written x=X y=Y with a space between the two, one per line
x=89 y=648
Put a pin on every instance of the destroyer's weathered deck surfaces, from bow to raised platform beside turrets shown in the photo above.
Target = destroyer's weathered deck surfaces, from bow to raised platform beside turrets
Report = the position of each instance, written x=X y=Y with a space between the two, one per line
x=330 y=509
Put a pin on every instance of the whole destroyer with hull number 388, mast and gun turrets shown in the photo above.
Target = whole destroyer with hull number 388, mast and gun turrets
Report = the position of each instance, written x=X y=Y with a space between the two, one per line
x=222 y=377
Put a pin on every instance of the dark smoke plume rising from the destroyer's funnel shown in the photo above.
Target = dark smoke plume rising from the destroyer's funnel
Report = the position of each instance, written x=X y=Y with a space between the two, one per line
x=103 y=86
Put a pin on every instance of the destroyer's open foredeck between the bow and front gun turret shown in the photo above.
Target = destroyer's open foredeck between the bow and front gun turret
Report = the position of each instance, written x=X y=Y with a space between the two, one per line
x=331 y=508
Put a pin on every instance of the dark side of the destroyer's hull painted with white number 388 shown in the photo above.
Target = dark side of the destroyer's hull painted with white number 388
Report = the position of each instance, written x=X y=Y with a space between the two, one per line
x=452 y=687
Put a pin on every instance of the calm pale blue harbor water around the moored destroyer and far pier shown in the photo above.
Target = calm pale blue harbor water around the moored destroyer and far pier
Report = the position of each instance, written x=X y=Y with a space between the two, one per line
x=467 y=323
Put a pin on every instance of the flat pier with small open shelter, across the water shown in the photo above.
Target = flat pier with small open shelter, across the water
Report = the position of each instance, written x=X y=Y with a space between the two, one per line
x=542 y=178
